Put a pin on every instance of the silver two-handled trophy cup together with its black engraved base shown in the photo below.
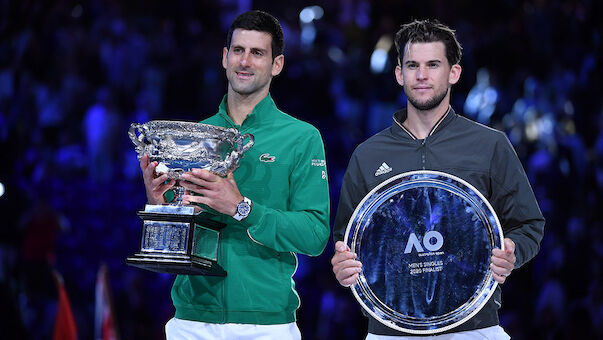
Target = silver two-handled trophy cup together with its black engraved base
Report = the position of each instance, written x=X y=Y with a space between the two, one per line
x=175 y=239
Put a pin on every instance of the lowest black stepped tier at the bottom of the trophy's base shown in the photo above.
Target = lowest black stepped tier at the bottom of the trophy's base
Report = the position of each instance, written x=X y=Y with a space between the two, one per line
x=178 y=265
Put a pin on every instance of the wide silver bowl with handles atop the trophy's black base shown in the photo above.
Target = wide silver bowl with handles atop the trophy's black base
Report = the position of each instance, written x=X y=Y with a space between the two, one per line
x=181 y=146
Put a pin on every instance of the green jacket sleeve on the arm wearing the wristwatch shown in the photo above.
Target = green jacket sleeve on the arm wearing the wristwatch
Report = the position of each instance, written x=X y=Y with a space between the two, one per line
x=304 y=226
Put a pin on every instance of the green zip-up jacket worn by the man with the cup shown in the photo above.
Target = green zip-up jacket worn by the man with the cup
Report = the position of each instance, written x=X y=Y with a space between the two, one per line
x=284 y=175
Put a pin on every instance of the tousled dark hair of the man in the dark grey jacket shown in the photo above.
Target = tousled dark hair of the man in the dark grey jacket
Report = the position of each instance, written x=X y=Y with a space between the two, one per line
x=424 y=31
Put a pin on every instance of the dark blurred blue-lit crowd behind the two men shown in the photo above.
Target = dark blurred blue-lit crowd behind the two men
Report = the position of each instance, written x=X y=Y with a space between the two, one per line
x=75 y=74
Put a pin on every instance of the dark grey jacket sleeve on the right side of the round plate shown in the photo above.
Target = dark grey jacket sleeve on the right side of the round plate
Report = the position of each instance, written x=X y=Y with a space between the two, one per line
x=514 y=201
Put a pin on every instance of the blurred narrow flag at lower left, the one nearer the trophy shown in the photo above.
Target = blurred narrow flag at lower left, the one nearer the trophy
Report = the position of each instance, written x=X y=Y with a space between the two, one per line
x=104 y=320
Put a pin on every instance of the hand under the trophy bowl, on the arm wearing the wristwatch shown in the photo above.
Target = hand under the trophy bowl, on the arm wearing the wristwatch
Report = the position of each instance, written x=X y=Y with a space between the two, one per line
x=218 y=193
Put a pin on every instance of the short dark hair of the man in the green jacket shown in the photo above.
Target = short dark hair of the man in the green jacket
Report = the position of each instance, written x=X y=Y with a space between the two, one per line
x=262 y=22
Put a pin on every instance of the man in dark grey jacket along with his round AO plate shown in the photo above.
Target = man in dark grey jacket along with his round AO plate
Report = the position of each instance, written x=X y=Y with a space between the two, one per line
x=436 y=210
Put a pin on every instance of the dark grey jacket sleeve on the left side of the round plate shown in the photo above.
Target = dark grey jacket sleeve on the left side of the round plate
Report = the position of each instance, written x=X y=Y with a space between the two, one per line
x=353 y=190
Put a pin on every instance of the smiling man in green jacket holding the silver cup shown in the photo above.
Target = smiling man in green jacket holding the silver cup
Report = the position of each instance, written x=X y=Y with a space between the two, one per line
x=274 y=205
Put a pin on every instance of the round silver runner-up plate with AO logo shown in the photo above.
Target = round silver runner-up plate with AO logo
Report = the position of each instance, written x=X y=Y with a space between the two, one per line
x=425 y=239
